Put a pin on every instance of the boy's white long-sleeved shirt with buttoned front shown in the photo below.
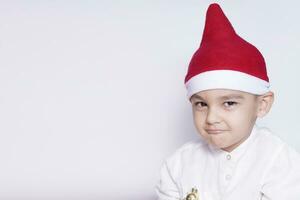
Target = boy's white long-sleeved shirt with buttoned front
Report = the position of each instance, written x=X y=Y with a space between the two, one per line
x=263 y=167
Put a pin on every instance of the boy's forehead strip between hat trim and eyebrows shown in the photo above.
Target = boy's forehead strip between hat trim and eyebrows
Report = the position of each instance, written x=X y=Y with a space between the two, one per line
x=222 y=94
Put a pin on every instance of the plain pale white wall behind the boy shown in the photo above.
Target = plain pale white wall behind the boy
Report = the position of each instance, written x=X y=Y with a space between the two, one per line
x=92 y=96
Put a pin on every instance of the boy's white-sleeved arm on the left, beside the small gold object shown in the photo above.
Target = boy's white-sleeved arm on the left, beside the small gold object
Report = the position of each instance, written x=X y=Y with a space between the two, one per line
x=167 y=189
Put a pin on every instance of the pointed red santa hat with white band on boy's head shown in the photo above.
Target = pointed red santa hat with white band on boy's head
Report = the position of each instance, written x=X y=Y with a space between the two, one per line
x=224 y=60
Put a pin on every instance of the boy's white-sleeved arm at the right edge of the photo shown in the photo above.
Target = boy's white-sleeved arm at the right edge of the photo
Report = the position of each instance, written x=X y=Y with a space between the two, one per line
x=282 y=180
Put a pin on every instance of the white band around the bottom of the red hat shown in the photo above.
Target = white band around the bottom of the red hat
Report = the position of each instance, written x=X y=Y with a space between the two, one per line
x=226 y=79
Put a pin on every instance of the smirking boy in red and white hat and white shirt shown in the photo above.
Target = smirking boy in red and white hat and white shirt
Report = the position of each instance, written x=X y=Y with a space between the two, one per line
x=228 y=87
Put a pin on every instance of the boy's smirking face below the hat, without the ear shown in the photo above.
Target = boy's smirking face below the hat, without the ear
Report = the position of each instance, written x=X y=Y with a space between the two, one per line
x=224 y=117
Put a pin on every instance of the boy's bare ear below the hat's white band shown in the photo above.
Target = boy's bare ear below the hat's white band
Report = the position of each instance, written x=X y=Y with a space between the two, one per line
x=265 y=102
